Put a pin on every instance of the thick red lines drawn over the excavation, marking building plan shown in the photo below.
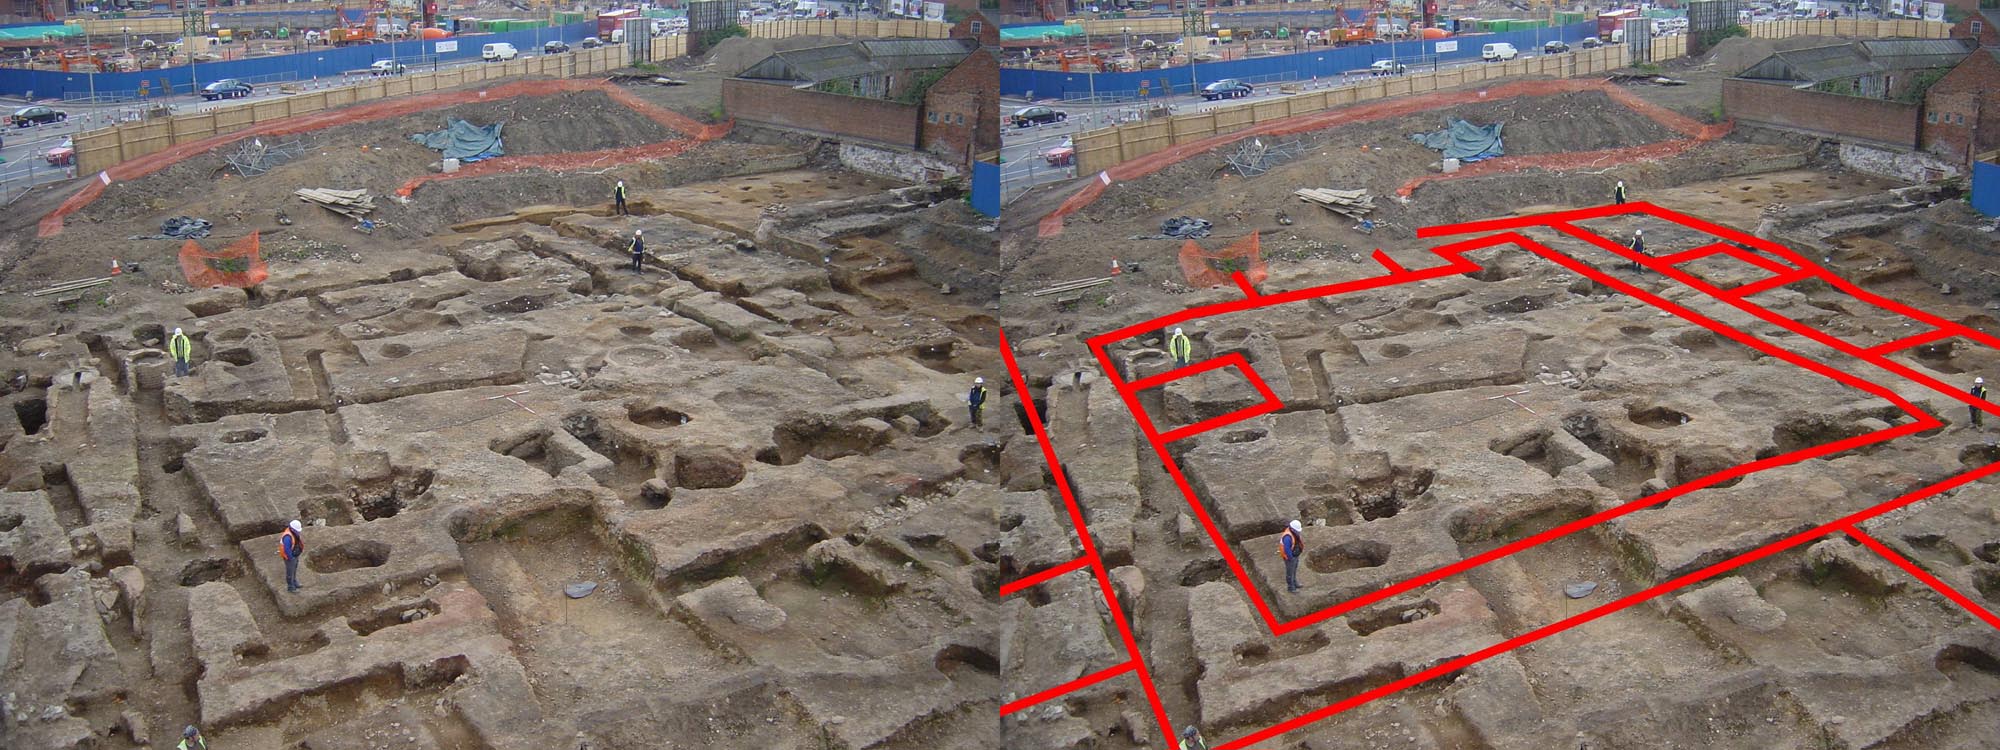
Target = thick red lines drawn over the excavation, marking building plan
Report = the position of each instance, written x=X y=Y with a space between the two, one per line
x=1781 y=265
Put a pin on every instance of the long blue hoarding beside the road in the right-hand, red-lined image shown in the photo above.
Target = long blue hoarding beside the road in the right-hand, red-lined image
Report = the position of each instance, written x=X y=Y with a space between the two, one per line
x=1321 y=63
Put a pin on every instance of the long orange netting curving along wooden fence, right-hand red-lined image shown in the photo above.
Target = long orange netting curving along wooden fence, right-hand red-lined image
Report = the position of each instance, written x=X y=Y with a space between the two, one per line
x=1367 y=113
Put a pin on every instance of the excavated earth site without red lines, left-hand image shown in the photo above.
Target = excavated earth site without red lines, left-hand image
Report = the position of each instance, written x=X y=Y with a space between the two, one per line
x=549 y=501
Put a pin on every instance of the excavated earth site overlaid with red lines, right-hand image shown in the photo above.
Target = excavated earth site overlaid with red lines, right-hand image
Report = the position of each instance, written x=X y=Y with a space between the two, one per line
x=1731 y=491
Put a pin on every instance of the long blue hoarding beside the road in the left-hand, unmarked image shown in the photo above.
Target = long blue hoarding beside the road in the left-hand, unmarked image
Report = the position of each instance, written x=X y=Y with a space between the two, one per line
x=321 y=63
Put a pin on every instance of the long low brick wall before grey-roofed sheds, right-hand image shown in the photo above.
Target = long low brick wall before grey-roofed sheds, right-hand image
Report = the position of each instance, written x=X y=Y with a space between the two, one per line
x=1851 y=117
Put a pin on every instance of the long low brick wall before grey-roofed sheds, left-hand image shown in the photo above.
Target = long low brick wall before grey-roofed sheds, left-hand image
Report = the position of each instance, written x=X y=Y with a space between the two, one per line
x=851 y=117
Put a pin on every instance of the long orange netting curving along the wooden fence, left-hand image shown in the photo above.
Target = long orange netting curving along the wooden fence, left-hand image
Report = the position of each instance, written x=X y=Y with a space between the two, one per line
x=369 y=113
